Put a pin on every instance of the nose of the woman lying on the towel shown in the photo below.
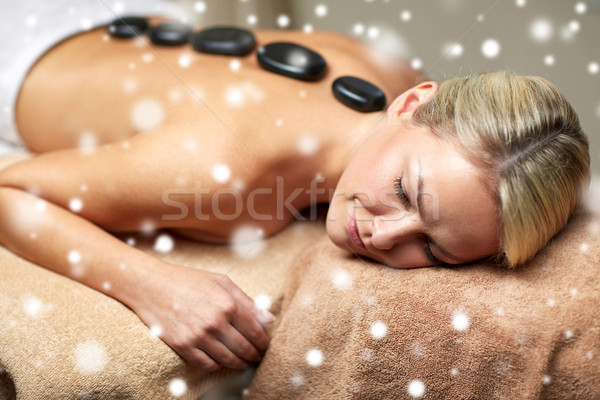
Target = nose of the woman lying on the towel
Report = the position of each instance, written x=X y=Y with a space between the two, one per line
x=389 y=232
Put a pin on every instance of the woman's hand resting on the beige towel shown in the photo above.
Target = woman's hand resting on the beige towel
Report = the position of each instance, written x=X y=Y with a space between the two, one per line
x=204 y=317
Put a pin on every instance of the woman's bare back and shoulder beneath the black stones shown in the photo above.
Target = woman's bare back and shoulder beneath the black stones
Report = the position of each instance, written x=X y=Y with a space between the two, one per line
x=199 y=113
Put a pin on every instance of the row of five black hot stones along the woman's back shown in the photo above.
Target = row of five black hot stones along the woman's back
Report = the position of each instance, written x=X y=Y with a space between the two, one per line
x=284 y=58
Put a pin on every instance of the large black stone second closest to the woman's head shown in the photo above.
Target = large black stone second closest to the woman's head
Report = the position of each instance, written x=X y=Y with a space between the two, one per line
x=291 y=60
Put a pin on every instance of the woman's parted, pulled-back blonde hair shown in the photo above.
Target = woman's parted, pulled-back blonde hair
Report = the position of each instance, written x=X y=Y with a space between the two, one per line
x=524 y=132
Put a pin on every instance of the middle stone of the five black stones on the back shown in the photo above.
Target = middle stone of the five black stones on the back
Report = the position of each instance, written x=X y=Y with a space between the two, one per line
x=224 y=40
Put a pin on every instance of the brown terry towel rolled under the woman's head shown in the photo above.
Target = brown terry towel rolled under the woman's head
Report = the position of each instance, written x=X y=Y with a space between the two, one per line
x=357 y=330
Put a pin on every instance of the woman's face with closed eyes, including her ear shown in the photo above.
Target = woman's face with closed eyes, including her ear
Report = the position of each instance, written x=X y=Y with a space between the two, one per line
x=446 y=206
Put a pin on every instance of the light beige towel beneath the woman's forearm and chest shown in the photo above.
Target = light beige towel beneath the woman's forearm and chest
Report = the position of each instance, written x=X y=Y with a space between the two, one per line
x=62 y=340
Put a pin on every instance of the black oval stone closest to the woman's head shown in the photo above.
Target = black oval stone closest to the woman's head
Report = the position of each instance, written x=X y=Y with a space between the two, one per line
x=358 y=94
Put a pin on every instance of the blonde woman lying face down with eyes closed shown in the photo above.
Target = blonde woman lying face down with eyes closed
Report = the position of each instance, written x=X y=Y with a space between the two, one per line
x=486 y=166
